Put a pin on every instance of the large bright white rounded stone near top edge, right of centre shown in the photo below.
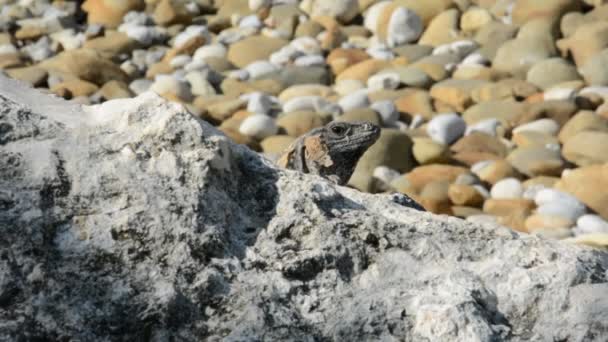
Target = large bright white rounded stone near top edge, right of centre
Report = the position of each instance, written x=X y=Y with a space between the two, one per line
x=405 y=26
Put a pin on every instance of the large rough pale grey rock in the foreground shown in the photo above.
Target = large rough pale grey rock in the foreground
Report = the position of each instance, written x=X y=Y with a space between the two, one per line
x=133 y=220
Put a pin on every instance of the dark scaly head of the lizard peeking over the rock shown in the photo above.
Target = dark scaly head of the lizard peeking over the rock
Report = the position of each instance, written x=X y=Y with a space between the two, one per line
x=350 y=137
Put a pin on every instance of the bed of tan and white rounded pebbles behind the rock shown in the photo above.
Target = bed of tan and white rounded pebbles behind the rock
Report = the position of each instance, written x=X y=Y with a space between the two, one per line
x=490 y=110
